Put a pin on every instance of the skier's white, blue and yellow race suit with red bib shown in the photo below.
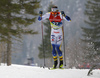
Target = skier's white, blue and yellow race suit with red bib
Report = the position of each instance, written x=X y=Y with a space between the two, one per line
x=56 y=31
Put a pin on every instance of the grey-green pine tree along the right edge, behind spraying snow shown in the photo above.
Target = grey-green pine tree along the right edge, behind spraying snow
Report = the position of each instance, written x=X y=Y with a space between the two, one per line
x=91 y=32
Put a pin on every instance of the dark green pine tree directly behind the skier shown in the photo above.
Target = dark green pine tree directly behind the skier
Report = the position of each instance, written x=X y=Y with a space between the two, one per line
x=47 y=43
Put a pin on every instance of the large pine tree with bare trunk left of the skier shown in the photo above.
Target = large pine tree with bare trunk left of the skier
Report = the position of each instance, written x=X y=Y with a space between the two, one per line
x=15 y=19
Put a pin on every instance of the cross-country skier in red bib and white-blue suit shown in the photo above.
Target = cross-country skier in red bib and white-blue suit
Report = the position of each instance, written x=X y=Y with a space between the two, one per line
x=55 y=17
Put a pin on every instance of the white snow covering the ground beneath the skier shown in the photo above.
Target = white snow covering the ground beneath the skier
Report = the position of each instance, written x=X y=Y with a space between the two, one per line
x=20 y=71
